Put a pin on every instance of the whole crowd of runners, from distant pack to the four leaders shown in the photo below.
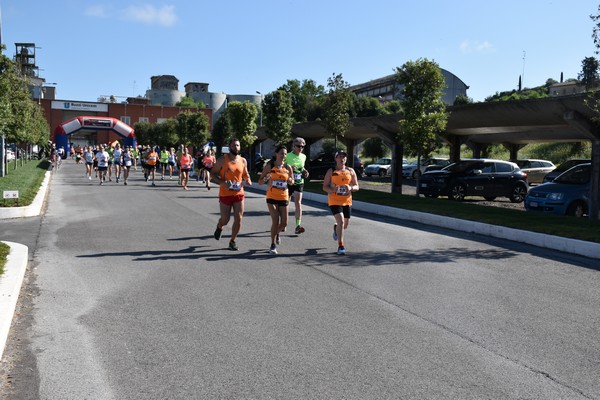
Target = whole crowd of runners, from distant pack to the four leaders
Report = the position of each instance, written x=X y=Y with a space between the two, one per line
x=283 y=177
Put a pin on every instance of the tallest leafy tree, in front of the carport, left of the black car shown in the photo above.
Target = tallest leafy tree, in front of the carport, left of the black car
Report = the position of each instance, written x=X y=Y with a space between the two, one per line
x=425 y=113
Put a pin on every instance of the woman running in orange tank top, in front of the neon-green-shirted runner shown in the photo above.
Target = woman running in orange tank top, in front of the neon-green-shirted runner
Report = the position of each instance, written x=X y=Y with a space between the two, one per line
x=278 y=175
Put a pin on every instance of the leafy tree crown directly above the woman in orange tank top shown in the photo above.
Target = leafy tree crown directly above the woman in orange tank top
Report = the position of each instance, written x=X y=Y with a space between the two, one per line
x=279 y=116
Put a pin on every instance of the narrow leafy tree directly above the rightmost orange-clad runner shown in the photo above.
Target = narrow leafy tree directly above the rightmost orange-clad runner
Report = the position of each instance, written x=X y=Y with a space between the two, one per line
x=338 y=106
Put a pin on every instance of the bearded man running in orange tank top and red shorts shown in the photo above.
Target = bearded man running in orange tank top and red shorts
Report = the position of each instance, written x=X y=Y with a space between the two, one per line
x=230 y=172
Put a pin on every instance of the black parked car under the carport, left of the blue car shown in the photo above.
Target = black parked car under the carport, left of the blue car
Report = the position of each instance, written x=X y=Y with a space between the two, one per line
x=481 y=177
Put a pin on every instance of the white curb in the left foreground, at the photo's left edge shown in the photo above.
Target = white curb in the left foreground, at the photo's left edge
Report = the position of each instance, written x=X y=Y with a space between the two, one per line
x=10 y=287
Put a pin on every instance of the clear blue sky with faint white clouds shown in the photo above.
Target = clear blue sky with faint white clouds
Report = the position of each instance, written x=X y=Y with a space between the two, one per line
x=109 y=47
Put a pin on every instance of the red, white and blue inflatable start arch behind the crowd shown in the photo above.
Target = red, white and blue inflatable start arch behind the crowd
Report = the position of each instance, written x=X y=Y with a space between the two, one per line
x=94 y=123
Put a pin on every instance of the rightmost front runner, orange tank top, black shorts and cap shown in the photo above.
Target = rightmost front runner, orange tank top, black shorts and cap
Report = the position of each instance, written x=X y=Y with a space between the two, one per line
x=339 y=183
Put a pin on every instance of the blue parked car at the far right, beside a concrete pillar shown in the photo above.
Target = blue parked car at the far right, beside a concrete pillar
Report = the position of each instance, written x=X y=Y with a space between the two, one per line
x=567 y=194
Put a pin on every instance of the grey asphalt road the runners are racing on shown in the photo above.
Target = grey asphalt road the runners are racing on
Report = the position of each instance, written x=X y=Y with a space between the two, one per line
x=129 y=296
